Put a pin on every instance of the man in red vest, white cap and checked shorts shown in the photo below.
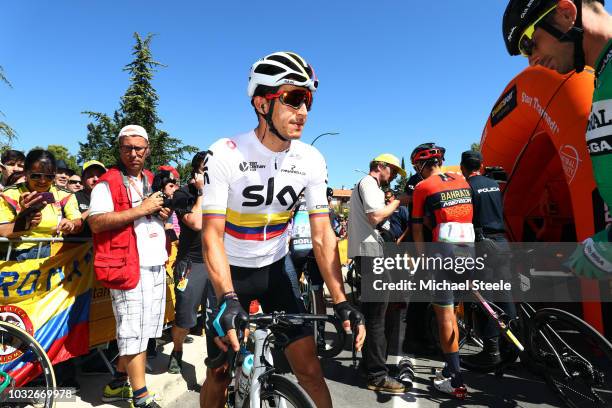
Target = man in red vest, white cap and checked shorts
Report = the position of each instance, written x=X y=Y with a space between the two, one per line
x=127 y=222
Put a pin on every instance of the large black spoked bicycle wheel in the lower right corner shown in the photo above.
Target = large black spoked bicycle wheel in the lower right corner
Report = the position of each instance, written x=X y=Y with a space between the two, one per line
x=578 y=359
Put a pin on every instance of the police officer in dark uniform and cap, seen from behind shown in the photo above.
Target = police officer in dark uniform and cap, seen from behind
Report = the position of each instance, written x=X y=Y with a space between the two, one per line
x=490 y=229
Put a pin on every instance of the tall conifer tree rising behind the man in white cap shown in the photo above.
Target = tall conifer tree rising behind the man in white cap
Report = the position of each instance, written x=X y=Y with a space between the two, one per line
x=137 y=106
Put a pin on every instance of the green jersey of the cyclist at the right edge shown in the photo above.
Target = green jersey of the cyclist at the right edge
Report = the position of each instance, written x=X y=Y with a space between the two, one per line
x=599 y=129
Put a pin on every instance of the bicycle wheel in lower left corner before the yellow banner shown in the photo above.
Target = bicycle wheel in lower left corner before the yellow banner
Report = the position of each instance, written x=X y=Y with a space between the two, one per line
x=24 y=349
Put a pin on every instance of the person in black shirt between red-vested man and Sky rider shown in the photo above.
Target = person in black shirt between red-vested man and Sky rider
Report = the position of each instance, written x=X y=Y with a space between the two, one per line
x=190 y=275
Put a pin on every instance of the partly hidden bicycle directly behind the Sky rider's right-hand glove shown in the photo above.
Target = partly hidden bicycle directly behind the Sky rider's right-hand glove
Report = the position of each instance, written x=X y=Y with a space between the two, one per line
x=329 y=334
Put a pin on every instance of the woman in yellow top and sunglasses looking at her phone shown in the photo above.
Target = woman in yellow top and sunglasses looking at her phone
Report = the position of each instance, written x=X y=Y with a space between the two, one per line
x=37 y=208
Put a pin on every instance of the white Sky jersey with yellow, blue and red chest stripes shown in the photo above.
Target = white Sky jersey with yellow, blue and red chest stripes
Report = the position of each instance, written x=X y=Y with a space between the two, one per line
x=255 y=190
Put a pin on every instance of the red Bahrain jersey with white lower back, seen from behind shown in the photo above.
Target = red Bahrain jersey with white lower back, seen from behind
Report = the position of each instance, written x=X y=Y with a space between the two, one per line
x=448 y=197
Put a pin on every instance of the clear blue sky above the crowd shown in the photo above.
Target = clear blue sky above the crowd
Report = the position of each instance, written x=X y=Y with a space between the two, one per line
x=393 y=74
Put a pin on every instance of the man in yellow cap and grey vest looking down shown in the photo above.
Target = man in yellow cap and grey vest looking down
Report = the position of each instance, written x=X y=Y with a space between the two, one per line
x=367 y=210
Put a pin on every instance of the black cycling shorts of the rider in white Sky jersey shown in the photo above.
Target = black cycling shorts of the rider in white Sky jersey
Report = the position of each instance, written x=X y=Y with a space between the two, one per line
x=276 y=288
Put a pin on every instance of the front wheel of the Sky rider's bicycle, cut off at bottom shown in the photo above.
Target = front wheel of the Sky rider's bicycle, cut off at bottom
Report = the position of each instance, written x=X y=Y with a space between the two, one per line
x=280 y=391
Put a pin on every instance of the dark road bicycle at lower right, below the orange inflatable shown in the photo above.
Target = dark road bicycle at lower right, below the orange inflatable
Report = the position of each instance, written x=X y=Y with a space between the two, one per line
x=573 y=357
